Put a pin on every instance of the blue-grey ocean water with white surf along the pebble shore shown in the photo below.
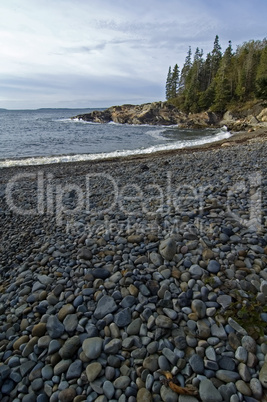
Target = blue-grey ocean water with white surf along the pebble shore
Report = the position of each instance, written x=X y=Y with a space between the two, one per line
x=43 y=136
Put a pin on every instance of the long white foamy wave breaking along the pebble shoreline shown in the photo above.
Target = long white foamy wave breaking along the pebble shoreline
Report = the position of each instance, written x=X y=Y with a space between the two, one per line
x=44 y=160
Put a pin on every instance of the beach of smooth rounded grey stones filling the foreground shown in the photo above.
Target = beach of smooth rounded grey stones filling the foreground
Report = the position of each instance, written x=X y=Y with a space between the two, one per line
x=98 y=308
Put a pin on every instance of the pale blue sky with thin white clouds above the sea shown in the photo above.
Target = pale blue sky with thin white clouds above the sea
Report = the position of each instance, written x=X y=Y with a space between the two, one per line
x=98 y=53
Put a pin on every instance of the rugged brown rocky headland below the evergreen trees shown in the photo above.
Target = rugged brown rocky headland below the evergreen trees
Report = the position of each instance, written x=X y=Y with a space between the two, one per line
x=163 y=113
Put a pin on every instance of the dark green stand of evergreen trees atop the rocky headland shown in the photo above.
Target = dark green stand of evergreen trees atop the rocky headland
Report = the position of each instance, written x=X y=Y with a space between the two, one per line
x=220 y=81
